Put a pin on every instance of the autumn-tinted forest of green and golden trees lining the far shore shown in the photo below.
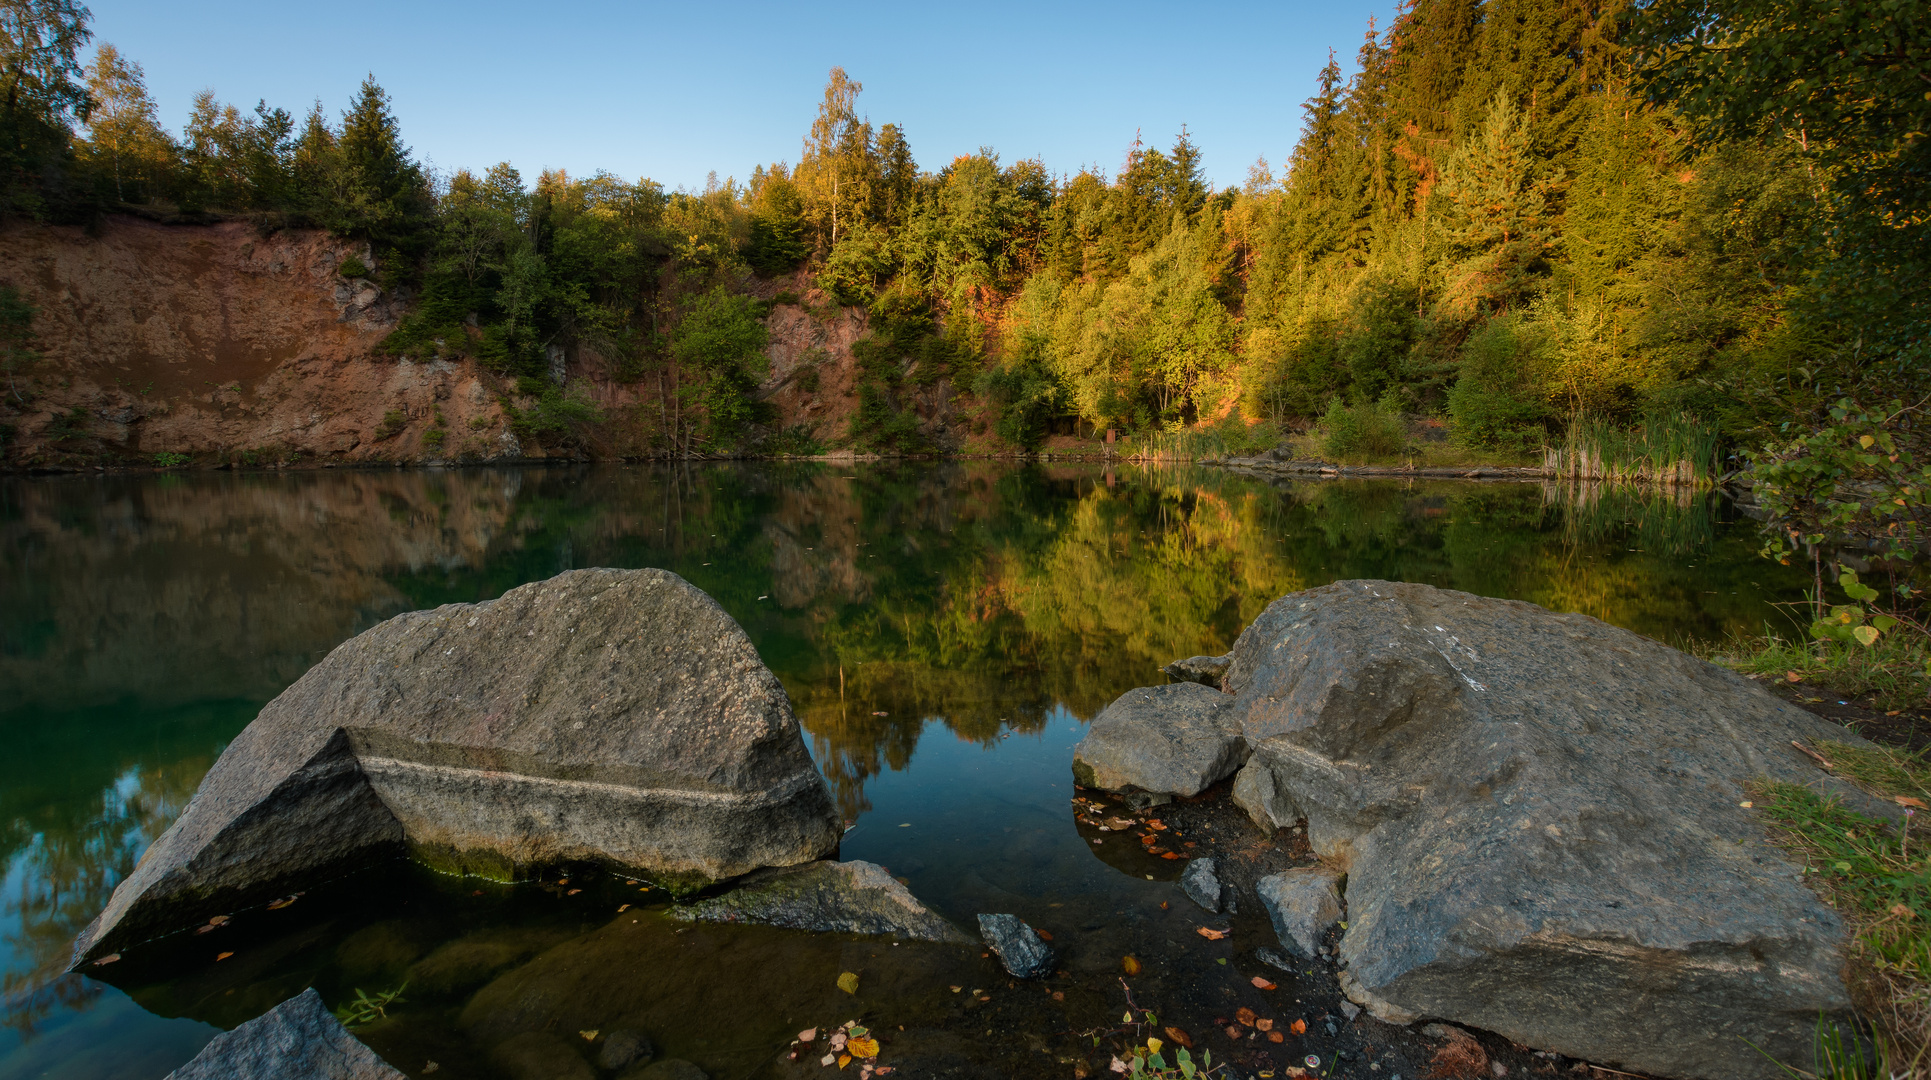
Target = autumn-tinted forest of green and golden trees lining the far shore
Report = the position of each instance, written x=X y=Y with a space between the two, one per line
x=1505 y=213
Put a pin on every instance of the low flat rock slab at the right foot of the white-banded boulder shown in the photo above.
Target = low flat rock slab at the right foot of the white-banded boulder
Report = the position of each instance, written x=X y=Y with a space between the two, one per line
x=845 y=897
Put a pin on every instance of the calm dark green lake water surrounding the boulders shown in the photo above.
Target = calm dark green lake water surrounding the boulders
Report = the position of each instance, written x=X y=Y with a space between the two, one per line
x=943 y=631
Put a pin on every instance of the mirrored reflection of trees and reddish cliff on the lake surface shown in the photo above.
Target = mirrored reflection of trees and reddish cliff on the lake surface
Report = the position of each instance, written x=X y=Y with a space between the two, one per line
x=144 y=621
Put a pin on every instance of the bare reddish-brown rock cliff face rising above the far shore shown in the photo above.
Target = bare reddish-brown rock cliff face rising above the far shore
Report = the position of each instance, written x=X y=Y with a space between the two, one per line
x=225 y=345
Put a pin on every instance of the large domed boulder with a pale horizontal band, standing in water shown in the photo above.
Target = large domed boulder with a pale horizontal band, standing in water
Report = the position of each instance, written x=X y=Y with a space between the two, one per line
x=603 y=716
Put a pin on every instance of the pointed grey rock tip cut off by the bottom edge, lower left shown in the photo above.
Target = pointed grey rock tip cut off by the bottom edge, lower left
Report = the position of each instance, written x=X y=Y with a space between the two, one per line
x=296 y=1040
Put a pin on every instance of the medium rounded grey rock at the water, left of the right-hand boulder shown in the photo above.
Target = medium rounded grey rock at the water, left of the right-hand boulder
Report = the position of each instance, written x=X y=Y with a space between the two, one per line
x=1175 y=739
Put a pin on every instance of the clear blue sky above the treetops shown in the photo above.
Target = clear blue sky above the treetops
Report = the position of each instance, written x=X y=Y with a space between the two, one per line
x=675 y=92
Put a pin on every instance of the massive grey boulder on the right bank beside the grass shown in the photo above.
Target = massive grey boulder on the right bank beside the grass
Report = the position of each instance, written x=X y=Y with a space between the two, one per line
x=1542 y=828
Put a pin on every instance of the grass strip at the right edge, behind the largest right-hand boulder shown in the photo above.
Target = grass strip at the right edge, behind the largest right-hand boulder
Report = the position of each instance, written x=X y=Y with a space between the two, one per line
x=1895 y=671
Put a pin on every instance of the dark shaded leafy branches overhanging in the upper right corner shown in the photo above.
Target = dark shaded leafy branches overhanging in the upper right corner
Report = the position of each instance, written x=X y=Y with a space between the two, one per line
x=1845 y=84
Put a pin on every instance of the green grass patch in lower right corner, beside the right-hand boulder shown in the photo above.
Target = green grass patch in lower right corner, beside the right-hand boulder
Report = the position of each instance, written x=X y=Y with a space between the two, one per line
x=1878 y=876
